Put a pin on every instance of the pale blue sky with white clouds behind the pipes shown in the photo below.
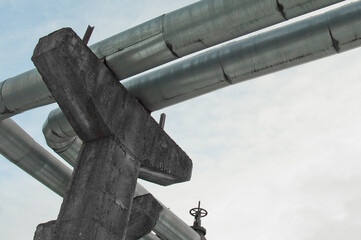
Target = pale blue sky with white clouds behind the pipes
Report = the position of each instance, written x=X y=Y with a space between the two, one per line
x=274 y=158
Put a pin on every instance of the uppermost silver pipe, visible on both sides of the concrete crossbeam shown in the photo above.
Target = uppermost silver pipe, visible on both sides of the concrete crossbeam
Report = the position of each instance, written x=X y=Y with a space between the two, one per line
x=163 y=39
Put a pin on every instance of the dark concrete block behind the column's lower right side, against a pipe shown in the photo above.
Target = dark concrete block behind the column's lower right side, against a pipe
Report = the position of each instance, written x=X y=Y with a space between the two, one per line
x=145 y=214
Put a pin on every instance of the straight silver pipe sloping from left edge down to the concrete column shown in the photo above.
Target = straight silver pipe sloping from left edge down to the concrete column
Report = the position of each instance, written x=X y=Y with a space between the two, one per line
x=17 y=146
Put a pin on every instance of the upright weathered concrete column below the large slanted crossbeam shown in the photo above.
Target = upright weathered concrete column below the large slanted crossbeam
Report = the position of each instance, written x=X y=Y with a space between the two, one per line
x=98 y=203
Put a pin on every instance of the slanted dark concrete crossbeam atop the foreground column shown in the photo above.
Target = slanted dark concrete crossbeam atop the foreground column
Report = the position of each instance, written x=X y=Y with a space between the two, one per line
x=97 y=105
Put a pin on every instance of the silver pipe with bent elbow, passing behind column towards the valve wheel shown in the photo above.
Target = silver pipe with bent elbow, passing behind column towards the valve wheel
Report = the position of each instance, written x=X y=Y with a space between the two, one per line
x=61 y=137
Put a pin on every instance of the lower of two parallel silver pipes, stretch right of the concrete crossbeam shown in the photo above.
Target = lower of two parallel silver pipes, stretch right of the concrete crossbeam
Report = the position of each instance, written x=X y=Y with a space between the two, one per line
x=300 y=42
